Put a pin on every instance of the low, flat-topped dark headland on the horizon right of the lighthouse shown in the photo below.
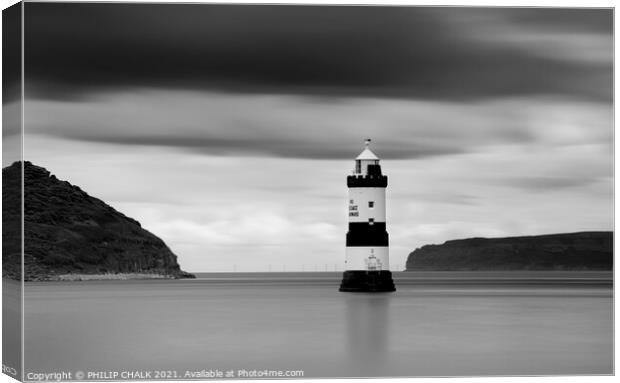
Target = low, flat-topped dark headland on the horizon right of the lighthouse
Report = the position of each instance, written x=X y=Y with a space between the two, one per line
x=573 y=251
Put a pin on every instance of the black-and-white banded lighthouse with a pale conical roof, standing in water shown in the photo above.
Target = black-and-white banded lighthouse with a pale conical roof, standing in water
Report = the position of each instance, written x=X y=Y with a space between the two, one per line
x=367 y=264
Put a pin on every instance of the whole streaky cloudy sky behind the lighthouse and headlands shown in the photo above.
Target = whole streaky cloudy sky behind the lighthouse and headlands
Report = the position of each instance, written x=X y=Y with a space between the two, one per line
x=228 y=130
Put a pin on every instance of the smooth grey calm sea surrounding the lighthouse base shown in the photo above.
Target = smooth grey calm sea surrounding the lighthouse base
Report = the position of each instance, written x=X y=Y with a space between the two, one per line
x=436 y=324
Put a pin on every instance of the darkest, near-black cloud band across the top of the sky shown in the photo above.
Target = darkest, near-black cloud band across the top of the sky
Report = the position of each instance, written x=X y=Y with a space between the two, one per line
x=77 y=49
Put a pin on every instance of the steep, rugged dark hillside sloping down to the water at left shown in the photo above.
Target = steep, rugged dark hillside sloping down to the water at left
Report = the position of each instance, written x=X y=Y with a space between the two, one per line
x=66 y=231
